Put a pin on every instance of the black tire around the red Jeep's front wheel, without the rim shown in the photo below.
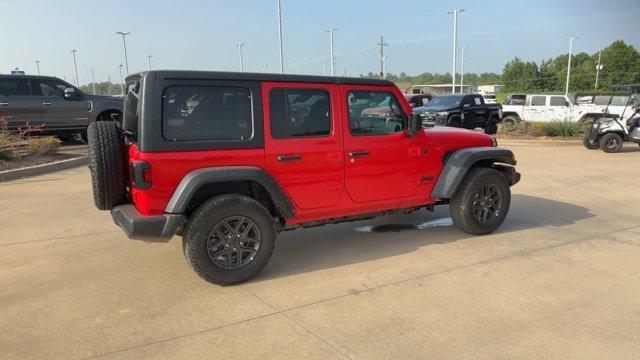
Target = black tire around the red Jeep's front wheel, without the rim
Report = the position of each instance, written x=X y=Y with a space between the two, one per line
x=461 y=204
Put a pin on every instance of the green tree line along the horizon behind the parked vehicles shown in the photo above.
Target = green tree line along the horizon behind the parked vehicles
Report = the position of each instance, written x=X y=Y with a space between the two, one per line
x=620 y=65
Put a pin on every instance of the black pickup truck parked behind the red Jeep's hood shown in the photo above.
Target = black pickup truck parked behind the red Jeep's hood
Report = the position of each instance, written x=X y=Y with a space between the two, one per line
x=467 y=111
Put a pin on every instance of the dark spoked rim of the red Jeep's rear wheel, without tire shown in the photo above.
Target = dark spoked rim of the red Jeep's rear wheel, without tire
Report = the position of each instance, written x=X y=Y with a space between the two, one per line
x=233 y=242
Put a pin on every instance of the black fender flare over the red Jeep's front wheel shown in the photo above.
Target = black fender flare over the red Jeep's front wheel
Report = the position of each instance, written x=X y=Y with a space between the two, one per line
x=458 y=164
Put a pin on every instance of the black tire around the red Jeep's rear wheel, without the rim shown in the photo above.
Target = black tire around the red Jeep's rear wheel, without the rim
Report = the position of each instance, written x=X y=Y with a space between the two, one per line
x=201 y=223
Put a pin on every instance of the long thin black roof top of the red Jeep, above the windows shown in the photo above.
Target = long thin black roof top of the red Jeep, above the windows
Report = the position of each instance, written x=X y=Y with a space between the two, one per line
x=247 y=76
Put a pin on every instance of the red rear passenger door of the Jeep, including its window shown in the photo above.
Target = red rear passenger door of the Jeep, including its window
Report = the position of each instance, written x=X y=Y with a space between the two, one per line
x=303 y=145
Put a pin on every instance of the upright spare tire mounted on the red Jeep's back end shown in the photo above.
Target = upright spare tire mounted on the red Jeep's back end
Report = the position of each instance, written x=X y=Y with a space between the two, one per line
x=106 y=163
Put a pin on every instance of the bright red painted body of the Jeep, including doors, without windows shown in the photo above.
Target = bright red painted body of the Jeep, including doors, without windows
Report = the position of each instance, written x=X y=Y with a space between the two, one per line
x=326 y=182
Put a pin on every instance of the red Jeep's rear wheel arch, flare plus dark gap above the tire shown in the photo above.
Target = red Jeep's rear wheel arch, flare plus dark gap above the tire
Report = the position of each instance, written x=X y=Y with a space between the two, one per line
x=202 y=184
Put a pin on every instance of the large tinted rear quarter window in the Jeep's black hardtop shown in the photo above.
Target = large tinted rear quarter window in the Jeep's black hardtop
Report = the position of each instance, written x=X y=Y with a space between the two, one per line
x=207 y=113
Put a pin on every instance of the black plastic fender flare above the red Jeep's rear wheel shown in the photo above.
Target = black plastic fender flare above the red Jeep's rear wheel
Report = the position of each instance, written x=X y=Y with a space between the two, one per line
x=197 y=178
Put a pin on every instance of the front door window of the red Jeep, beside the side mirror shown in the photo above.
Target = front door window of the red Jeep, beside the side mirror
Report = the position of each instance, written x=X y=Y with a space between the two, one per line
x=374 y=113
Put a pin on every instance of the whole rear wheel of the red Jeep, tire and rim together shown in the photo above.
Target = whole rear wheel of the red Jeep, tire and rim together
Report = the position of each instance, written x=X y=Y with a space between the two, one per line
x=229 y=239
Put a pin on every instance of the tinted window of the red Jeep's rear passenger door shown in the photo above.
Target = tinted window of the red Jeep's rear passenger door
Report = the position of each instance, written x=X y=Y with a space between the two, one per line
x=299 y=113
